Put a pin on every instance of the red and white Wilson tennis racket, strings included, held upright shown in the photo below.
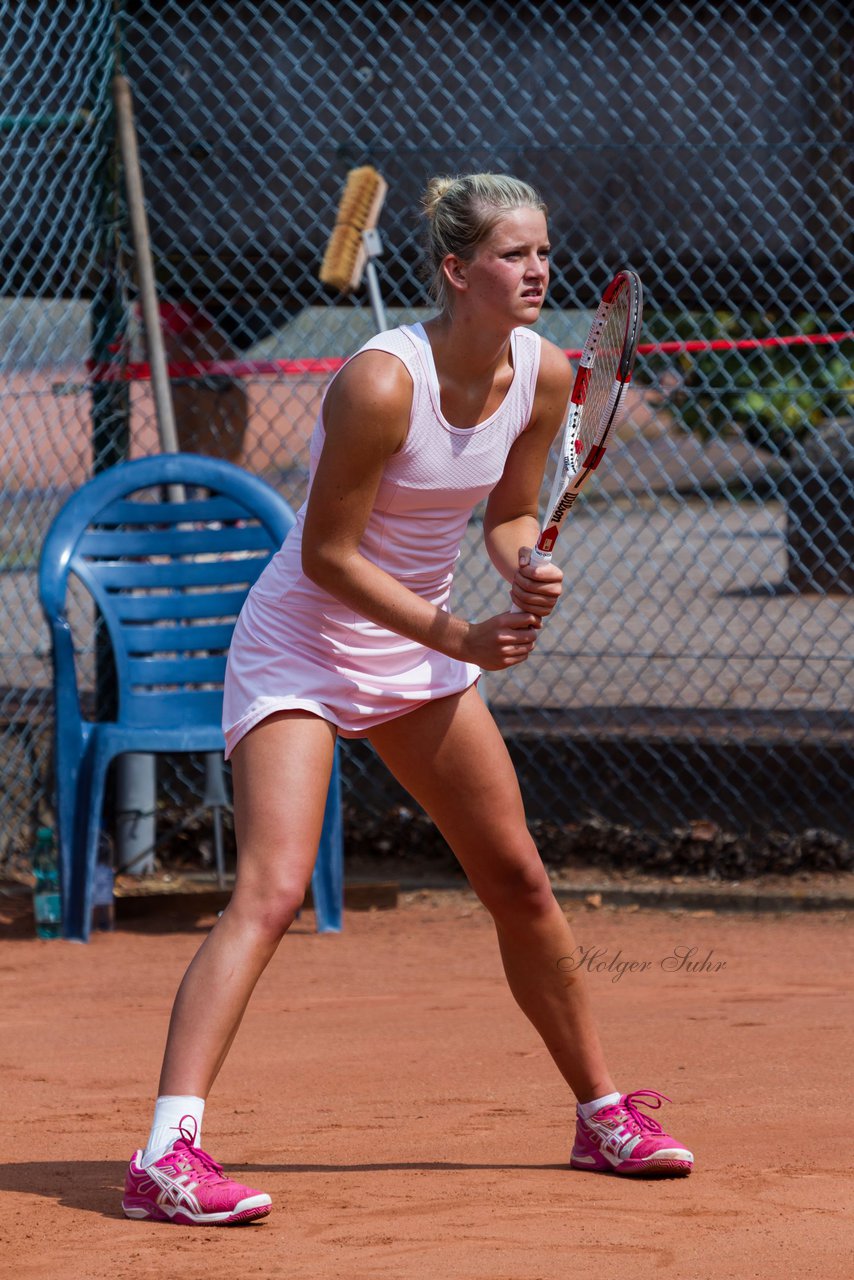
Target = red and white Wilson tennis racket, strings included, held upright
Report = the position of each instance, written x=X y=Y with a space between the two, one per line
x=597 y=401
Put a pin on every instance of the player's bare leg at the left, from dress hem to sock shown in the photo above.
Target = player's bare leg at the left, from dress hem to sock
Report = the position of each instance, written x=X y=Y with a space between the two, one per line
x=281 y=772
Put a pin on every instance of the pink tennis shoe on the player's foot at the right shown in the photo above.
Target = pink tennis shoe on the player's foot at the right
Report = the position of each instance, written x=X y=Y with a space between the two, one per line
x=622 y=1140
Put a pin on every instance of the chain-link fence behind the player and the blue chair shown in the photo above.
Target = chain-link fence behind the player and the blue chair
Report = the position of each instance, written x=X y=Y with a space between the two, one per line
x=701 y=665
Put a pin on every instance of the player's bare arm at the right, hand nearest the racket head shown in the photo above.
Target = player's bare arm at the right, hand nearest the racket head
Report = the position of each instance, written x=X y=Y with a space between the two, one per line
x=512 y=523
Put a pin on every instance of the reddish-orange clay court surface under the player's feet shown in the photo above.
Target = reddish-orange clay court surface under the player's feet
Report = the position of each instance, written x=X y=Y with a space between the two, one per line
x=407 y=1121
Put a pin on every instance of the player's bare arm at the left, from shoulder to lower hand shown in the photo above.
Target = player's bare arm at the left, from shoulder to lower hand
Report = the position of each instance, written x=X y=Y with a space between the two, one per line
x=367 y=417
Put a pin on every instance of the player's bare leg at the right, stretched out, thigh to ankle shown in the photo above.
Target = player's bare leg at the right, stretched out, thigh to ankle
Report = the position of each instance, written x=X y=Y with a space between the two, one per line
x=451 y=757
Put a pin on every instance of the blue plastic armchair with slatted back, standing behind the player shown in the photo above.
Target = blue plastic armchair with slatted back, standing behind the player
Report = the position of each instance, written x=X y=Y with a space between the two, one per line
x=170 y=579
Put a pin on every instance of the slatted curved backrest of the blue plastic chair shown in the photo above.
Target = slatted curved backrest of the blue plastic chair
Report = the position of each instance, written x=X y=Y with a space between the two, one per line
x=168 y=577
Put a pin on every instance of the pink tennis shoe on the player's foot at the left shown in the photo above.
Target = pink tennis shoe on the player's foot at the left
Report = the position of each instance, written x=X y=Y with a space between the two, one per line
x=188 y=1186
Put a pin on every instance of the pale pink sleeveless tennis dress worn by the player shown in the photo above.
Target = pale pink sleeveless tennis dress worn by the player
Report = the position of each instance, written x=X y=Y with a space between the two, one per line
x=296 y=647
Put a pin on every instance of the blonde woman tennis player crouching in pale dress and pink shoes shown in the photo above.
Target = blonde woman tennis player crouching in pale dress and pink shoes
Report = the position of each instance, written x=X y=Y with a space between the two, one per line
x=349 y=632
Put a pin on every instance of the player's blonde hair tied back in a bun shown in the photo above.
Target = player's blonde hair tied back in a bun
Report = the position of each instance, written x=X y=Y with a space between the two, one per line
x=463 y=212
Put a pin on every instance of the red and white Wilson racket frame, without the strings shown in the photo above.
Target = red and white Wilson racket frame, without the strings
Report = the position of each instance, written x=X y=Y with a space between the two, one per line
x=572 y=477
